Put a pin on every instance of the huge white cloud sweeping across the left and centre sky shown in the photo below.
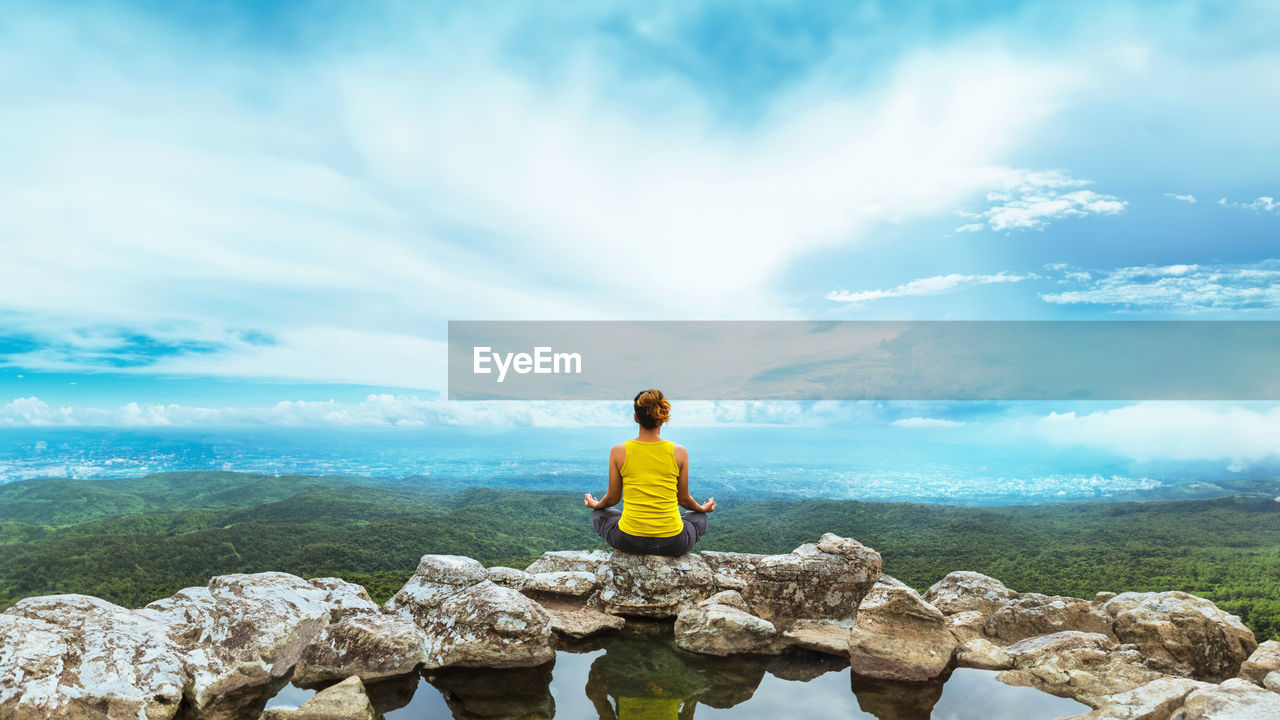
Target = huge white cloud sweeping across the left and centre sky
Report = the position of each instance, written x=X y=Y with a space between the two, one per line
x=350 y=206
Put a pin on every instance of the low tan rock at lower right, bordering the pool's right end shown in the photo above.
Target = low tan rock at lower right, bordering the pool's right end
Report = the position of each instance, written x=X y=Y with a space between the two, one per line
x=1086 y=667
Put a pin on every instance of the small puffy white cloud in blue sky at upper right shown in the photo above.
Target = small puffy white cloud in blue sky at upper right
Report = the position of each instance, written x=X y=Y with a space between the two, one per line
x=1032 y=199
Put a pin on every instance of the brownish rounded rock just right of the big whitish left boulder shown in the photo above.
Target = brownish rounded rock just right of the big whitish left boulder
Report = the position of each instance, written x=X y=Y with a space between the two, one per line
x=367 y=646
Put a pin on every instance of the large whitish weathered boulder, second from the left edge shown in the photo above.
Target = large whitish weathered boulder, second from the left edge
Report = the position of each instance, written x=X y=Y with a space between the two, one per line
x=241 y=635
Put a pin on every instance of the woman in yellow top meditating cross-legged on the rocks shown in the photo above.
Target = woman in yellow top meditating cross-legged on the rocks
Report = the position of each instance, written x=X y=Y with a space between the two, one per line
x=651 y=477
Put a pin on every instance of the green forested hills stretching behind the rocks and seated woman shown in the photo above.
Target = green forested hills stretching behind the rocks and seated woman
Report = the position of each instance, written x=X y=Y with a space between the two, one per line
x=132 y=541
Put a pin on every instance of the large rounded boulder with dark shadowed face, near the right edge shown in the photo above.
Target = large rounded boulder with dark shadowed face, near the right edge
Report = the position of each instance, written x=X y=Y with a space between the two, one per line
x=1190 y=632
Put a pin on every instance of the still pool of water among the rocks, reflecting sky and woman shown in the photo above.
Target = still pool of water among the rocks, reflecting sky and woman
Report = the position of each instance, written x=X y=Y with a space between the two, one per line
x=639 y=675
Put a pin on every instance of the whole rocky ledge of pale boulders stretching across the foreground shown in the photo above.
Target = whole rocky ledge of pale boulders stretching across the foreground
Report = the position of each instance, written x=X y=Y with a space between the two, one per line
x=220 y=651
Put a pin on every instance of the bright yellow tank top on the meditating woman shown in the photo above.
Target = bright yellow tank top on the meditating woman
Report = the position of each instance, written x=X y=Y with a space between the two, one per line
x=650 y=475
